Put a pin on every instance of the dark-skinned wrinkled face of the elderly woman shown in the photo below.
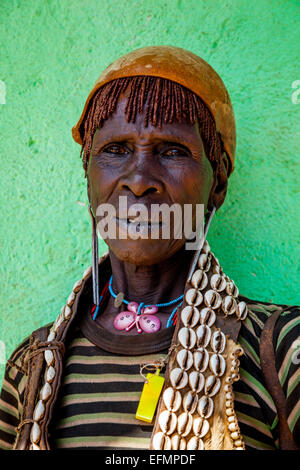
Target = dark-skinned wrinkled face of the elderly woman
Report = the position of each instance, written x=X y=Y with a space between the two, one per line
x=148 y=165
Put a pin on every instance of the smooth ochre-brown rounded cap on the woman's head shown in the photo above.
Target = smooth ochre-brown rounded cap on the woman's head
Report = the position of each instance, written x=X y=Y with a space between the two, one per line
x=180 y=66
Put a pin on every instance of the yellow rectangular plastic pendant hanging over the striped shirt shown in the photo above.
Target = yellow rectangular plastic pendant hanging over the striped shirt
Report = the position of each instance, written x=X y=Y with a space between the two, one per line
x=150 y=396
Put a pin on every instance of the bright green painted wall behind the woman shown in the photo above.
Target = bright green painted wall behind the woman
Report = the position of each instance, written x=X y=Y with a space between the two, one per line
x=51 y=54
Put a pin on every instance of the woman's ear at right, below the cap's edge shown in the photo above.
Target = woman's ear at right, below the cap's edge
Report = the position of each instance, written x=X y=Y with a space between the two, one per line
x=219 y=187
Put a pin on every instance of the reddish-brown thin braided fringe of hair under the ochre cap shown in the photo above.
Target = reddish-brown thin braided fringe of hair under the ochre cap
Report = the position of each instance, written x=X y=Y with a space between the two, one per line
x=165 y=101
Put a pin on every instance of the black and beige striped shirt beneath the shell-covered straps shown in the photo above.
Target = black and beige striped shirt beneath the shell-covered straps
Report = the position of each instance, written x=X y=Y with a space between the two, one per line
x=100 y=390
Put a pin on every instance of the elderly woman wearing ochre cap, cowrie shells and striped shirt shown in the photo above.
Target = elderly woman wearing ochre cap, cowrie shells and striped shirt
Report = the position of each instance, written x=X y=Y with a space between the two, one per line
x=153 y=326
